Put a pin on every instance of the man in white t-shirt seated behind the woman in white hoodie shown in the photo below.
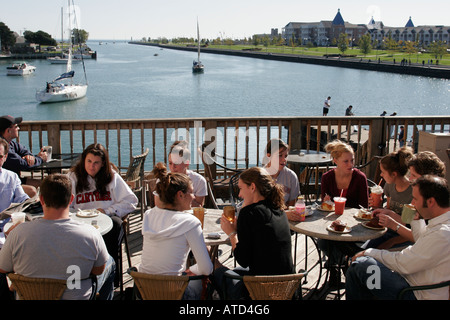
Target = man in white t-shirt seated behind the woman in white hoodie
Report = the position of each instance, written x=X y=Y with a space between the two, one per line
x=179 y=160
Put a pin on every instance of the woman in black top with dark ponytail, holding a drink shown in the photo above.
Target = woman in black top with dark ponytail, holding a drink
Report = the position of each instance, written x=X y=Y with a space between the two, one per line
x=261 y=238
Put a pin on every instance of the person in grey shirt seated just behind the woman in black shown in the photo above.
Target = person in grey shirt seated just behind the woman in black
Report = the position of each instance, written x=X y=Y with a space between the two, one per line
x=276 y=158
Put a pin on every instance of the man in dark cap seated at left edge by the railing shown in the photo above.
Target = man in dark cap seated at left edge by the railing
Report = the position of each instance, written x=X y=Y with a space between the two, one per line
x=20 y=158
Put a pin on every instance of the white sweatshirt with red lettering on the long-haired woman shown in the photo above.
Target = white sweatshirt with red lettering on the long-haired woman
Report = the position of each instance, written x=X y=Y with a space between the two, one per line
x=119 y=200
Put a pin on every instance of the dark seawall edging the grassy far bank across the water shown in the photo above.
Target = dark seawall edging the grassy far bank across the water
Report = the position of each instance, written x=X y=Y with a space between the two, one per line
x=413 y=69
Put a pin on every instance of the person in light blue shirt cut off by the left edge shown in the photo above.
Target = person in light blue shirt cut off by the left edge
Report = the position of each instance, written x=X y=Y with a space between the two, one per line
x=11 y=190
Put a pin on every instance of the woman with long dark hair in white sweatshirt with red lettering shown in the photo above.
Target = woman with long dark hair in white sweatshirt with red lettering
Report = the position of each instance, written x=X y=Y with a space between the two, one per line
x=96 y=185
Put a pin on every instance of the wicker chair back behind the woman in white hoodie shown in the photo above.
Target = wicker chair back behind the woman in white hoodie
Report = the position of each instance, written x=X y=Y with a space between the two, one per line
x=160 y=287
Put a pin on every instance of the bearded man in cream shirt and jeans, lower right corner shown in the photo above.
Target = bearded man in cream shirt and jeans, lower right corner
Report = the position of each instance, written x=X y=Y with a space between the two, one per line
x=383 y=274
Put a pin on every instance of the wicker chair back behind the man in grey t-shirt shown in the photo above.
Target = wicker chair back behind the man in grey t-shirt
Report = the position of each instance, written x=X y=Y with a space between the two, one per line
x=37 y=288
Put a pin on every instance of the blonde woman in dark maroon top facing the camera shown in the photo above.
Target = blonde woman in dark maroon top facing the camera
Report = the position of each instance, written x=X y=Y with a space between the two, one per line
x=345 y=179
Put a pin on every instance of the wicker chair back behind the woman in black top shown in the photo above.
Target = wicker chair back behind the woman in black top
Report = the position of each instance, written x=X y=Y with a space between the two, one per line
x=279 y=287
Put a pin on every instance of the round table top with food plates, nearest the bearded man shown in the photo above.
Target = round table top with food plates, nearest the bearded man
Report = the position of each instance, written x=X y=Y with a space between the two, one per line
x=316 y=225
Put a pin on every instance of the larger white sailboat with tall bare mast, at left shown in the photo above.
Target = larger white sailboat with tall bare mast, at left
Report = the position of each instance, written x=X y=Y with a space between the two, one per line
x=58 y=90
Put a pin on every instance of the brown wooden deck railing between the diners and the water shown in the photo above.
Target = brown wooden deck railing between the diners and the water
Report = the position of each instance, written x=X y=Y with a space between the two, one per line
x=241 y=138
